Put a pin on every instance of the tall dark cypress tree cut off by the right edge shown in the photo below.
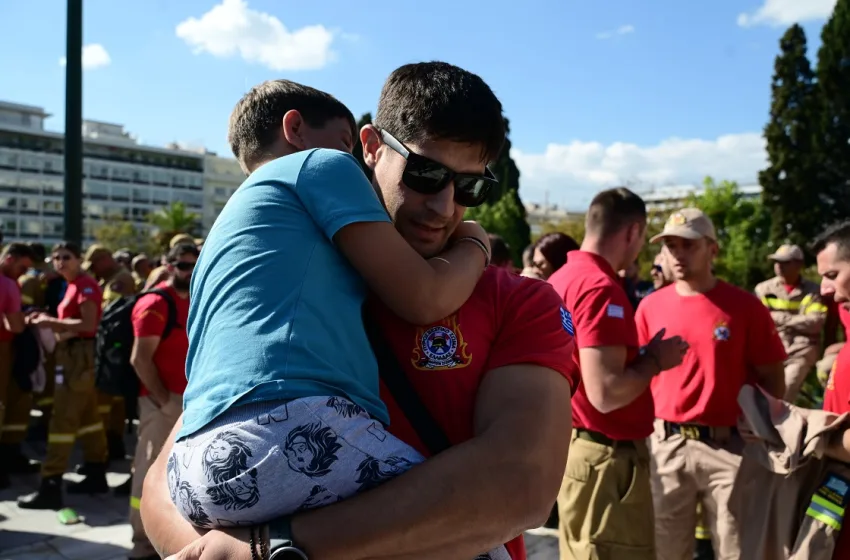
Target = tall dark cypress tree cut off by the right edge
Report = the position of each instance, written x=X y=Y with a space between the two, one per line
x=834 y=88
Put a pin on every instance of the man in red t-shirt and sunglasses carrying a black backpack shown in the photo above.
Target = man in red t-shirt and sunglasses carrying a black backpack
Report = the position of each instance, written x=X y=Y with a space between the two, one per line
x=159 y=358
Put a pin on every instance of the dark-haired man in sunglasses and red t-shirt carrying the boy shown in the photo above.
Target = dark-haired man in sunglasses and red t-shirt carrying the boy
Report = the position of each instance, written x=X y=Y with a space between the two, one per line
x=496 y=375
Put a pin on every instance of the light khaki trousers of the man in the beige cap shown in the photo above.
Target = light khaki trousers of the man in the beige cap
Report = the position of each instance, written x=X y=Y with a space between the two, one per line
x=685 y=473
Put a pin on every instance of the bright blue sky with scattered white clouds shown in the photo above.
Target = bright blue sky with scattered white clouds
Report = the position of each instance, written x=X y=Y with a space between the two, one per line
x=598 y=93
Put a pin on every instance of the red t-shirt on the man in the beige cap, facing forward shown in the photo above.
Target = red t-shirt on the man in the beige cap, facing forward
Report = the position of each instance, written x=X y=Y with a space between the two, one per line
x=729 y=331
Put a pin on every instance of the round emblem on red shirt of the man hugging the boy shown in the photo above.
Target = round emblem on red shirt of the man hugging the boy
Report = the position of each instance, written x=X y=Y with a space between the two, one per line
x=440 y=346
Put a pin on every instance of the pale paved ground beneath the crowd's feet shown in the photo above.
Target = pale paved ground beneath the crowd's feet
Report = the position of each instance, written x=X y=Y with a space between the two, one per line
x=105 y=533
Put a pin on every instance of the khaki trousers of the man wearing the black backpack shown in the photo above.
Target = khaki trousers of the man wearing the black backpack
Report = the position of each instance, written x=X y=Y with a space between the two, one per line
x=155 y=424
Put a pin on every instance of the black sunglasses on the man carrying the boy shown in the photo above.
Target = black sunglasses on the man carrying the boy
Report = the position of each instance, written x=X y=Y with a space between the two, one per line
x=426 y=176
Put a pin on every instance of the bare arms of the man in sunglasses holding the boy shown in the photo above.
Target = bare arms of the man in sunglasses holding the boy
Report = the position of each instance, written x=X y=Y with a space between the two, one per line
x=468 y=499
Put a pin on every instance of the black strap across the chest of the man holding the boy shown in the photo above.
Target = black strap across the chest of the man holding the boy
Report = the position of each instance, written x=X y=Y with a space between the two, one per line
x=396 y=381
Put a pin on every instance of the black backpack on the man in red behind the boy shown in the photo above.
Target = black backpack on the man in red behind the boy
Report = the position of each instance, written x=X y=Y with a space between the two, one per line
x=114 y=374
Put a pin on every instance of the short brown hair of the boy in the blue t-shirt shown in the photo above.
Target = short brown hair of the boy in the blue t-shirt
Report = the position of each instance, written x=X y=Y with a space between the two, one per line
x=256 y=120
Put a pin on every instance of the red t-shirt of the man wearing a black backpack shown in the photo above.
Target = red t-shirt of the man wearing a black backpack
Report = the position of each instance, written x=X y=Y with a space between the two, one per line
x=150 y=315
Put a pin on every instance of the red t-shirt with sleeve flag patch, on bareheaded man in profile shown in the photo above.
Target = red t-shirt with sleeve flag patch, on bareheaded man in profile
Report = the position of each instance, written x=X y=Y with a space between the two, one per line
x=602 y=316
